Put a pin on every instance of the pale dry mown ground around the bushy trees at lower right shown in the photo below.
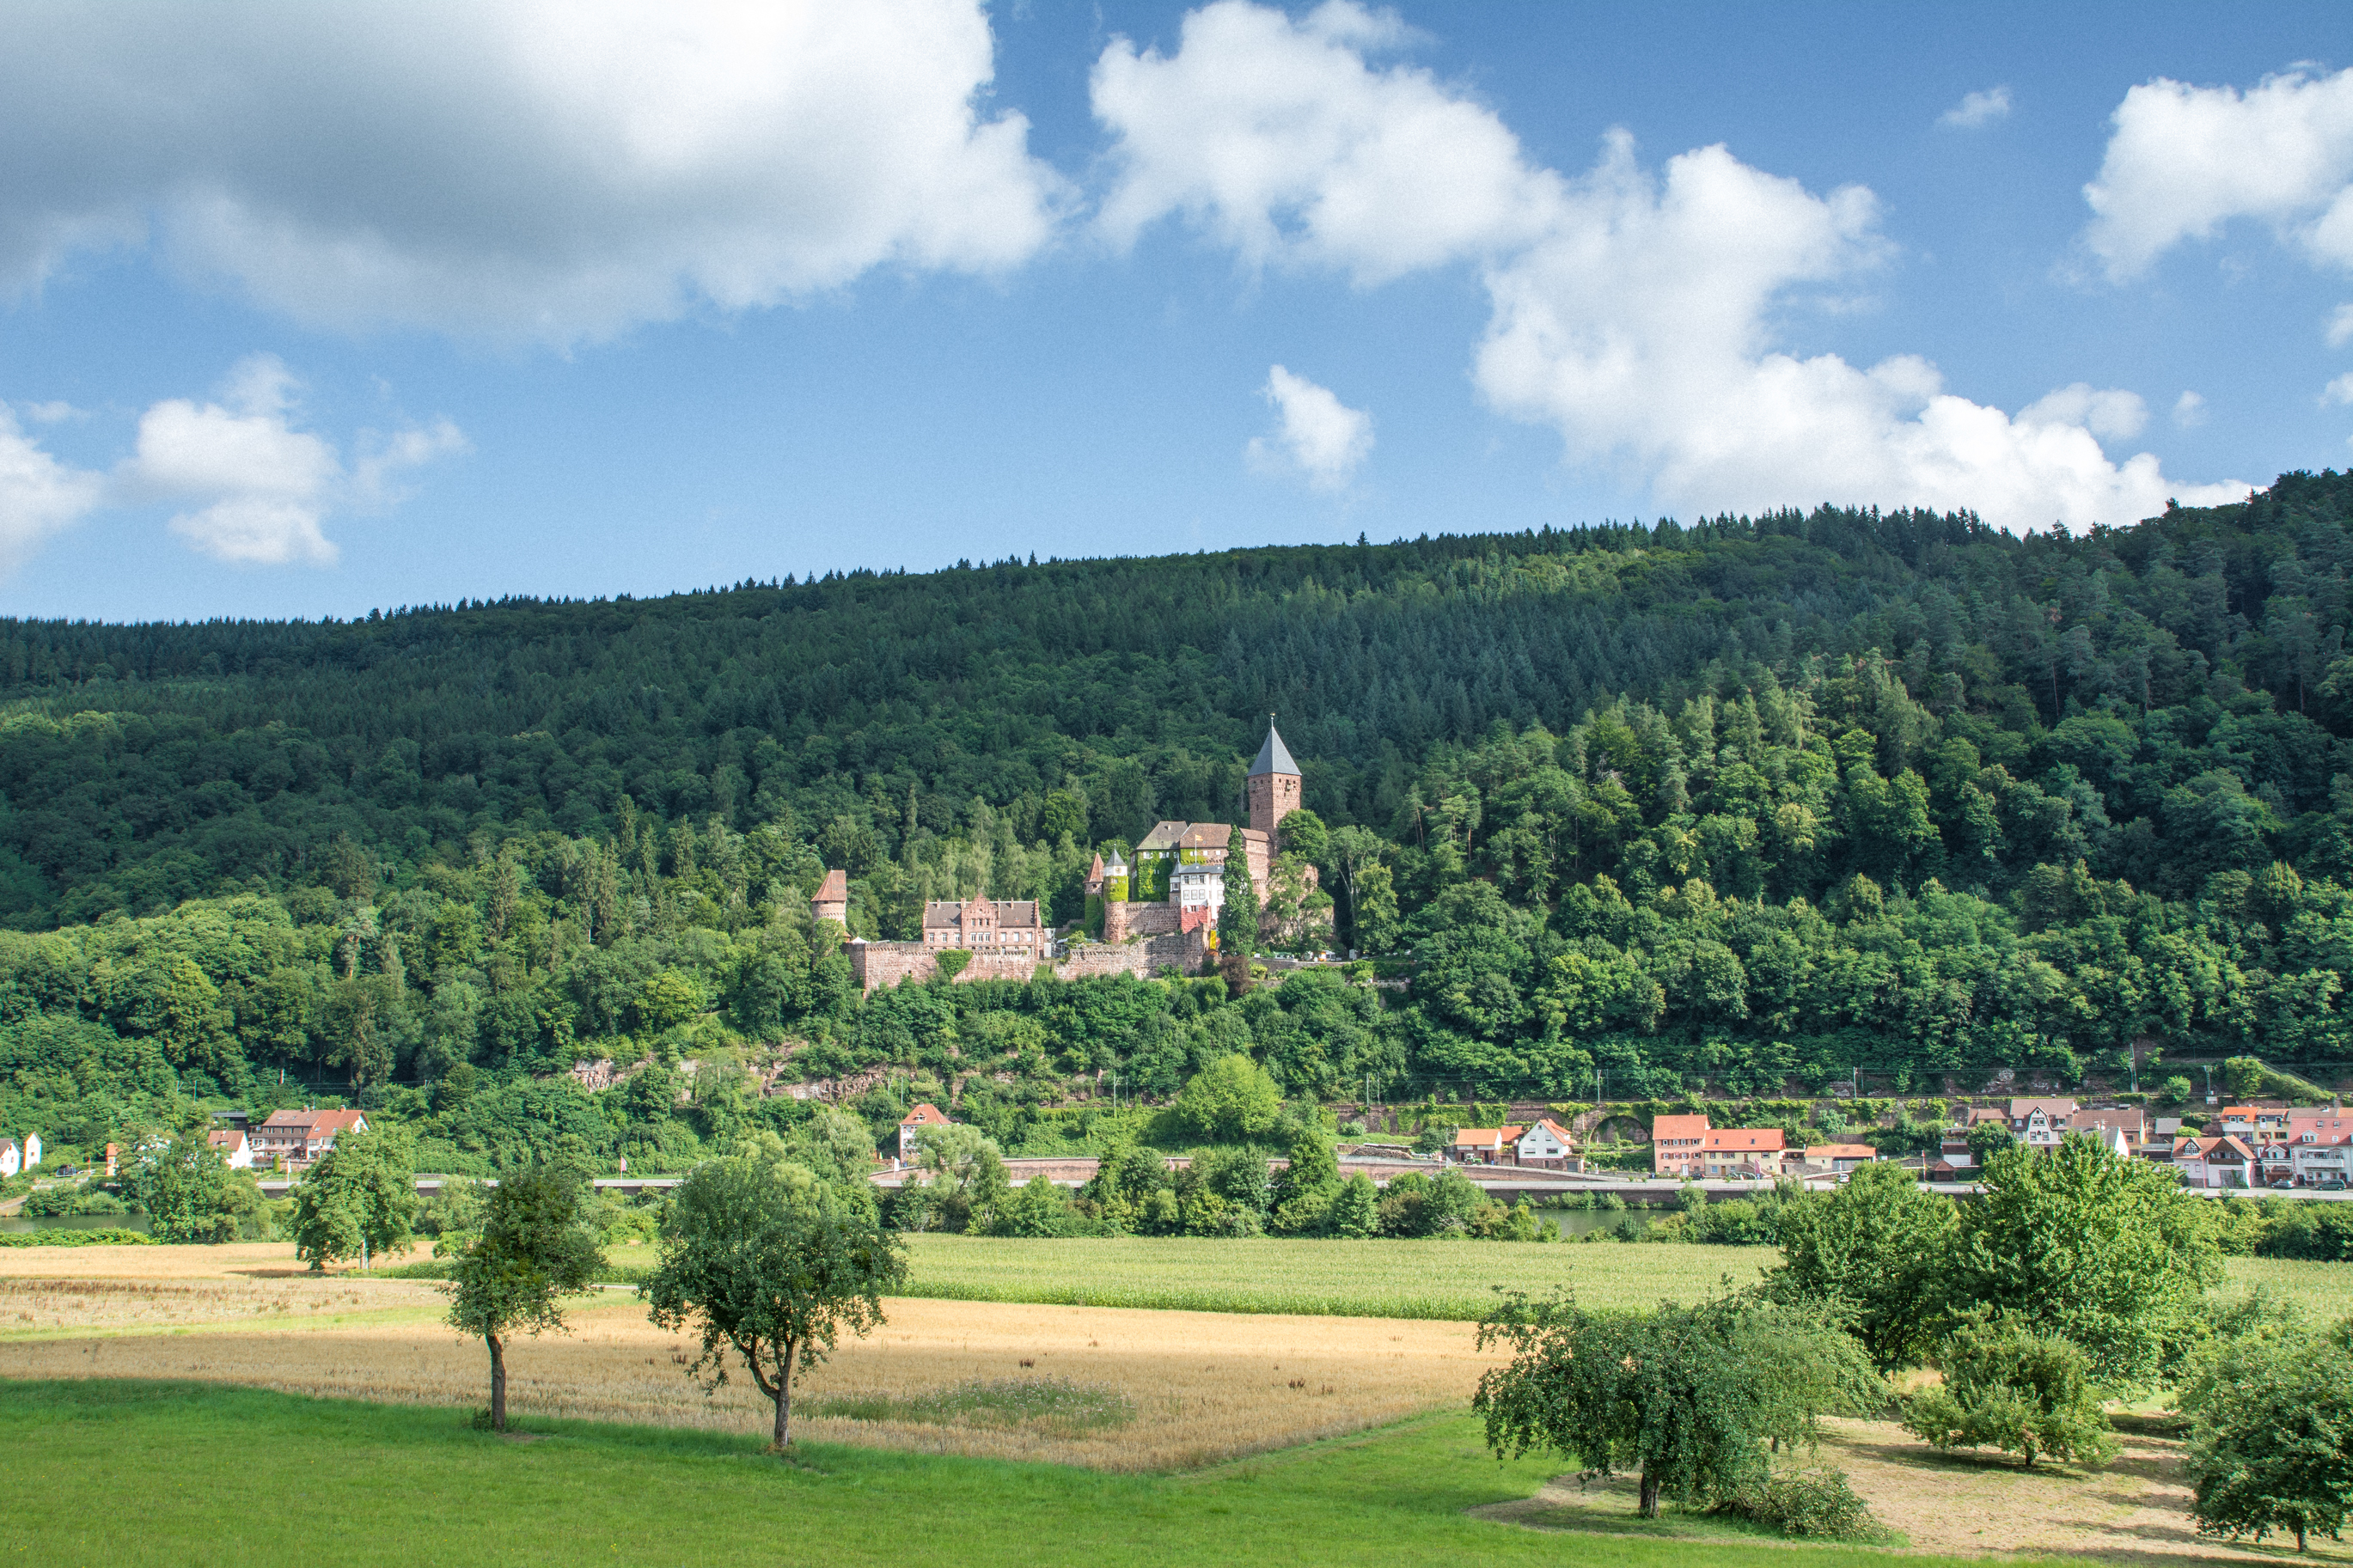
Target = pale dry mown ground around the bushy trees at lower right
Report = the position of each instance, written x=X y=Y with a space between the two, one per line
x=2135 y=1510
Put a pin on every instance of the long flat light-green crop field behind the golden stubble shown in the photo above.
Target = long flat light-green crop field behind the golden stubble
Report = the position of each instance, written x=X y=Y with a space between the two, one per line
x=1427 y=1280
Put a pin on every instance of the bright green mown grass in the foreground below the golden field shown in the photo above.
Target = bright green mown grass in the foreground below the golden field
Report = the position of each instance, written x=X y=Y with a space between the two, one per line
x=359 y=1485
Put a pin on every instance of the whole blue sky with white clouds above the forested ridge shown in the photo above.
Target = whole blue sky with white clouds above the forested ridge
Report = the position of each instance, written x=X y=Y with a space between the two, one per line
x=324 y=309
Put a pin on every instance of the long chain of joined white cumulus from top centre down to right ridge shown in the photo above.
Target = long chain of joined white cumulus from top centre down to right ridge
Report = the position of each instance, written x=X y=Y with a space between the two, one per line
x=1632 y=311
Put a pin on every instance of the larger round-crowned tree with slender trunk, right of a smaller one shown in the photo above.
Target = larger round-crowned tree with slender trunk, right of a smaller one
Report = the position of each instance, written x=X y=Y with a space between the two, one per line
x=771 y=1264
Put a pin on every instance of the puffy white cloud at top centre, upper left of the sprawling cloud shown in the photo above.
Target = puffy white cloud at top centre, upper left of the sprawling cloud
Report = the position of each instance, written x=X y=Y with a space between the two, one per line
x=1286 y=145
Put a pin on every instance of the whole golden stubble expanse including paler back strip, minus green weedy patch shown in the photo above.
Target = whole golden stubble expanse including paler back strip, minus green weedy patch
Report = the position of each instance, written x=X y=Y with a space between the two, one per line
x=1206 y=1386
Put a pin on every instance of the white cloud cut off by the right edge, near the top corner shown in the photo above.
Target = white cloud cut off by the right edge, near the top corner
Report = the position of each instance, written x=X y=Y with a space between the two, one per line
x=2185 y=161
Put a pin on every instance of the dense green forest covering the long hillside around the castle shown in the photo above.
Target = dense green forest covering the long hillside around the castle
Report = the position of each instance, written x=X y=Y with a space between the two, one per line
x=1745 y=805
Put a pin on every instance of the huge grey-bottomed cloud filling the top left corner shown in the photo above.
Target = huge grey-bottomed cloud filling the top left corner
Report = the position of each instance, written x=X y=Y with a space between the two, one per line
x=542 y=170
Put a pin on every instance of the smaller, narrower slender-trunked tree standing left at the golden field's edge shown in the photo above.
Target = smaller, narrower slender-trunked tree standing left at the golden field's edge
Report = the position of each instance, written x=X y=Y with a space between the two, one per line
x=533 y=1252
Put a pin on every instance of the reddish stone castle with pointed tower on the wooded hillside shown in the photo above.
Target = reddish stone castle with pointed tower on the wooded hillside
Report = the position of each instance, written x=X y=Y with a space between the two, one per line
x=1154 y=913
